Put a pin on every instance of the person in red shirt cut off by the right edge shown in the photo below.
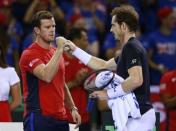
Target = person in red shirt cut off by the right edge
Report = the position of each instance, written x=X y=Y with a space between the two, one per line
x=168 y=96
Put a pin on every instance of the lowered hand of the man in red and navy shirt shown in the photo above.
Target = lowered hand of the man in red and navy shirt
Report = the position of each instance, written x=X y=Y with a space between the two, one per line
x=76 y=117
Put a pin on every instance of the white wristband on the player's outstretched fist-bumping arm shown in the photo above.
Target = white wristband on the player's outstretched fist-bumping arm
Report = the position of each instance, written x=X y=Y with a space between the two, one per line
x=82 y=55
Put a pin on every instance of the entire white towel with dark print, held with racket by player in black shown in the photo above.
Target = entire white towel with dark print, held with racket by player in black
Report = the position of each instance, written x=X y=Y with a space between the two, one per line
x=123 y=106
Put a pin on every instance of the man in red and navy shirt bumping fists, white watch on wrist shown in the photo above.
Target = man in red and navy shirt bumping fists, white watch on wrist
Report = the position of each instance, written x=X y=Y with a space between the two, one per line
x=43 y=75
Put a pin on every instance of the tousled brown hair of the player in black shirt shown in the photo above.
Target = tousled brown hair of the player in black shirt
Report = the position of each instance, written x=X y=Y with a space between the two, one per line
x=127 y=14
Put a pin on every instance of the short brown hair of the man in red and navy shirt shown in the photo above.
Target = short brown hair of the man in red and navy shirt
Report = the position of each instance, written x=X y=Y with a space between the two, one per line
x=36 y=20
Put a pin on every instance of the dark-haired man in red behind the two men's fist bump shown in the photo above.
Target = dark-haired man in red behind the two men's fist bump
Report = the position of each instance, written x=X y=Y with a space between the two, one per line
x=75 y=73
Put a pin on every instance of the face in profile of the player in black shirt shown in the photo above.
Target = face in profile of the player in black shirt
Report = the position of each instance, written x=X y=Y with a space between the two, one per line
x=115 y=28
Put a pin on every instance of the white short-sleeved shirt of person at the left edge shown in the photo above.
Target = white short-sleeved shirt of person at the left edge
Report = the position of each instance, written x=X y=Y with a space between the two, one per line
x=8 y=78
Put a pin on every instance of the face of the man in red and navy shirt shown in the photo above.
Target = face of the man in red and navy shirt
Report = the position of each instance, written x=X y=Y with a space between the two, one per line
x=47 y=30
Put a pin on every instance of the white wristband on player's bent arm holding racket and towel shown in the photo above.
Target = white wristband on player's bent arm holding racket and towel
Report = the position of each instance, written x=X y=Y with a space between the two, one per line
x=115 y=91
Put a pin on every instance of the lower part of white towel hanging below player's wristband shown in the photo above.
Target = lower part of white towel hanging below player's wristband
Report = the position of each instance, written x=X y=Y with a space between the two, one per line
x=122 y=108
